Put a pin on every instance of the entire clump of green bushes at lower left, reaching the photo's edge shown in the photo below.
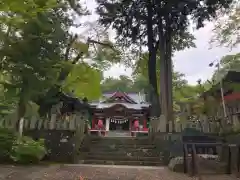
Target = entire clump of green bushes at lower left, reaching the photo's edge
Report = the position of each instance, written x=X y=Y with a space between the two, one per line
x=20 y=150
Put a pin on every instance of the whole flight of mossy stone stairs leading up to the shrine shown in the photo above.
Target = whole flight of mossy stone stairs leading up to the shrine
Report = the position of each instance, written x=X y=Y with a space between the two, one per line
x=120 y=151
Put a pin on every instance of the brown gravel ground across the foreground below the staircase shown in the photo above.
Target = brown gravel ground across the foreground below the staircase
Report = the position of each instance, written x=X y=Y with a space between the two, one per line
x=73 y=172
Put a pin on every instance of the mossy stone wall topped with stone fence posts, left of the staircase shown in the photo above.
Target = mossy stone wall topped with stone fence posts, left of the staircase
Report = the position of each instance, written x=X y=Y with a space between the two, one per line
x=63 y=137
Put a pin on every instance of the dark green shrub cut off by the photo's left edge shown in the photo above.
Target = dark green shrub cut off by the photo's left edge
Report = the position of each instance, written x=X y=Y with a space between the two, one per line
x=7 y=139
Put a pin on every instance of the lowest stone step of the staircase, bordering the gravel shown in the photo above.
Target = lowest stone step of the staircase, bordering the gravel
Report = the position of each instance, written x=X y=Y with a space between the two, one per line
x=130 y=163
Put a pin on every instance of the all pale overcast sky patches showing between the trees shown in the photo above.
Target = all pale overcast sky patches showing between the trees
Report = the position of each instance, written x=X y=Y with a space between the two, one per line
x=192 y=62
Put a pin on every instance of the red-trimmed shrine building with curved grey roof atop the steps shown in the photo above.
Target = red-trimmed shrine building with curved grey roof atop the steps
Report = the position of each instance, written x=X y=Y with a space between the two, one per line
x=120 y=112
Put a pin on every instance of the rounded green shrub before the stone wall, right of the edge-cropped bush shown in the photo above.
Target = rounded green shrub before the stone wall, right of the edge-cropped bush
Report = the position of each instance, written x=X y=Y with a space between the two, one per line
x=26 y=150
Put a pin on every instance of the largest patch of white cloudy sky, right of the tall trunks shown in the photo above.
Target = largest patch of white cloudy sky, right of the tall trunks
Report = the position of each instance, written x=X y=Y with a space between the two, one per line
x=194 y=62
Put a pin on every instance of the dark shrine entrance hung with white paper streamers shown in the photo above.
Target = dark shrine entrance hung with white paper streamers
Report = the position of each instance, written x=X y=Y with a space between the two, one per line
x=117 y=124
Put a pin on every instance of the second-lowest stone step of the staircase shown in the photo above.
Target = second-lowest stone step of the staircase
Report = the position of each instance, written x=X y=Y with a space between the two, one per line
x=128 y=157
